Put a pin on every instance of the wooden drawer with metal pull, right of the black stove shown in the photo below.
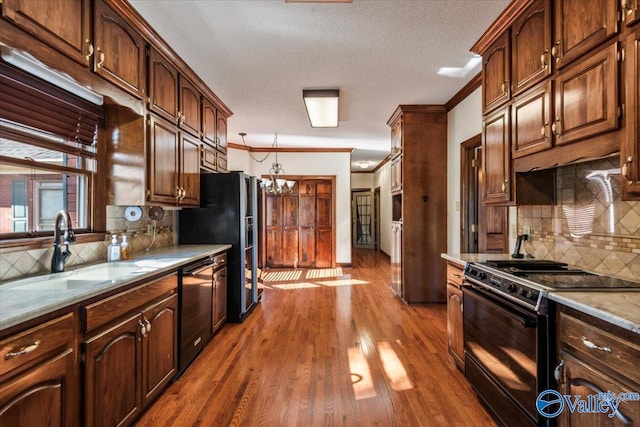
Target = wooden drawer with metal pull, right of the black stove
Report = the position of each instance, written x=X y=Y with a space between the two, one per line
x=612 y=351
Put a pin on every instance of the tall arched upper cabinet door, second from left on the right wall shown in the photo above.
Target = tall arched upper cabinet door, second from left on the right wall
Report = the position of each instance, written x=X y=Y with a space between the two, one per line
x=530 y=46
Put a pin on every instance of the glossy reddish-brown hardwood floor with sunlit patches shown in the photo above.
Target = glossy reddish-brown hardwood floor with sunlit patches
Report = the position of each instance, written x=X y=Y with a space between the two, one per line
x=326 y=351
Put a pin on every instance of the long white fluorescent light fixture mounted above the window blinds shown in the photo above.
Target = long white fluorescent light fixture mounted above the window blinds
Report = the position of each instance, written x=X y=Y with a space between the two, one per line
x=31 y=65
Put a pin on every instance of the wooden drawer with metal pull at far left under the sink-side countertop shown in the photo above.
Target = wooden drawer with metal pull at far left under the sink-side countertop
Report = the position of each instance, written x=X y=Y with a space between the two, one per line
x=35 y=343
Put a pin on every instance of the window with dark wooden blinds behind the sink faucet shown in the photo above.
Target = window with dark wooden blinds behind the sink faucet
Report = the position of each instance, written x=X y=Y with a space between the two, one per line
x=48 y=151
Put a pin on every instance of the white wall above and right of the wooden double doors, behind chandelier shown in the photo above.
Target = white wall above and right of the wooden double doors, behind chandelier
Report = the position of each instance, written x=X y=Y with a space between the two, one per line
x=324 y=164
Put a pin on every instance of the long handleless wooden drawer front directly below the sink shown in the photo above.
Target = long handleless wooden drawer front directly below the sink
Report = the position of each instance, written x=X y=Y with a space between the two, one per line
x=102 y=312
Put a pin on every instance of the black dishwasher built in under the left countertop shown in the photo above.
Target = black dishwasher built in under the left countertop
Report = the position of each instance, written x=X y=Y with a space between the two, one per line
x=195 y=298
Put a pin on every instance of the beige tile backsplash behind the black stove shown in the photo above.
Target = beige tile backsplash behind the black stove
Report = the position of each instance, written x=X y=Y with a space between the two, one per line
x=589 y=226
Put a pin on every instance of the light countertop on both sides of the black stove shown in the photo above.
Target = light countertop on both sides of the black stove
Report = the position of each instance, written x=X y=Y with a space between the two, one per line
x=620 y=307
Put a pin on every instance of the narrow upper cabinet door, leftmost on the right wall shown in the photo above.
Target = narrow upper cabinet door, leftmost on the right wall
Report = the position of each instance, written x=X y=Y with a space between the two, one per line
x=496 y=78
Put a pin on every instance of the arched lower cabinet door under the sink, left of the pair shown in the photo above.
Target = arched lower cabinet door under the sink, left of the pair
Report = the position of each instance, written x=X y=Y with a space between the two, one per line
x=113 y=375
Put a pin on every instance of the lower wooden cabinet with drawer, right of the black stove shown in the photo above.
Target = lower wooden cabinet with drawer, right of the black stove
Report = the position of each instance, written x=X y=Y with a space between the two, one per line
x=595 y=357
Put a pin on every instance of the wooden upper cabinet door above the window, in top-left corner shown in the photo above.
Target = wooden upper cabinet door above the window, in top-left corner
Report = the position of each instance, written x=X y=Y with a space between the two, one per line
x=62 y=24
